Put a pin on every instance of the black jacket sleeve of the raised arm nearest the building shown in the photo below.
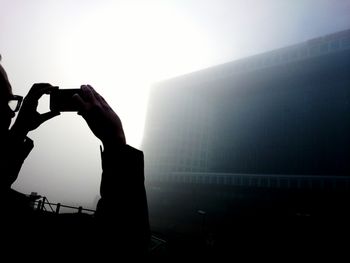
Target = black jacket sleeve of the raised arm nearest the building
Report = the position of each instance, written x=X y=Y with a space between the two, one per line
x=123 y=204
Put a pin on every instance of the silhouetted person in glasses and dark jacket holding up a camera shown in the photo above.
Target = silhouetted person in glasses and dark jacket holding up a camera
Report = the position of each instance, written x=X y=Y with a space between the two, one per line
x=120 y=225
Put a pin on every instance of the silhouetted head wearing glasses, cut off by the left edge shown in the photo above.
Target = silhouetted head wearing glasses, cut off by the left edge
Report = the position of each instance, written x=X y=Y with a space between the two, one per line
x=6 y=97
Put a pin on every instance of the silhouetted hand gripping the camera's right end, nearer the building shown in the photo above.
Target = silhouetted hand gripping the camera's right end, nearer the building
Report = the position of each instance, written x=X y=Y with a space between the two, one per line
x=100 y=117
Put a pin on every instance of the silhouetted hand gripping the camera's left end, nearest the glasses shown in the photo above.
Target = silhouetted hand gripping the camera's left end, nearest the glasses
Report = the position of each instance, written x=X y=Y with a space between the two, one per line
x=28 y=118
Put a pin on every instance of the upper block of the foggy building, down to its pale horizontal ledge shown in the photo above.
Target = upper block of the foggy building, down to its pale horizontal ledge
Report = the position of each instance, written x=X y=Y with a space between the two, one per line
x=283 y=112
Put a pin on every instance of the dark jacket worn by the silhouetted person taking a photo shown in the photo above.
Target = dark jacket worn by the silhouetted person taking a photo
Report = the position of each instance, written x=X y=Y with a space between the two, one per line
x=120 y=225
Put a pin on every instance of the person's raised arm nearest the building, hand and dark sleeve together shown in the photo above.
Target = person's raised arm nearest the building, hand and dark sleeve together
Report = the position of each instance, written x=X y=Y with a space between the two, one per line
x=122 y=212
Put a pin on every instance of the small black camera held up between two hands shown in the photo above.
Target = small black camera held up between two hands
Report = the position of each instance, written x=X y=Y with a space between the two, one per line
x=62 y=100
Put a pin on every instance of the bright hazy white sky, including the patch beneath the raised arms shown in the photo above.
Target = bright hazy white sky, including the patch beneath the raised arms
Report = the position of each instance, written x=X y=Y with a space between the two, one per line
x=121 y=48
